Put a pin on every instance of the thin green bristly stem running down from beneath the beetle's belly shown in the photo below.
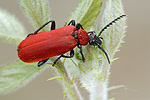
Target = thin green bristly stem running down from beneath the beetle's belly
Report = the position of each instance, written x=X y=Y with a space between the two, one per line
x=69 y=87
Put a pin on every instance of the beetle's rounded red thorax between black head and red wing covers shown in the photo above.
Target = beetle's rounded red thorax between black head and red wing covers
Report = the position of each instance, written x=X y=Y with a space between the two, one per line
x=81 y=36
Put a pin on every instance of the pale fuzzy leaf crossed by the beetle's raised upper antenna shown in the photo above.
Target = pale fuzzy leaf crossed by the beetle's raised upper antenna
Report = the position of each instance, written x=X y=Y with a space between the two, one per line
x=113 y=36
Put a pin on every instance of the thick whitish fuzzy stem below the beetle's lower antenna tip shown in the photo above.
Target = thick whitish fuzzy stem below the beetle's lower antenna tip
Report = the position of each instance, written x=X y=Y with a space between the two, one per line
x=99 y=89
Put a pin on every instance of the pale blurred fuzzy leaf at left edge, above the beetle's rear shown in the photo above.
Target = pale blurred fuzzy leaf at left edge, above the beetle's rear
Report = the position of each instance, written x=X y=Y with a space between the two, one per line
x=11 y=30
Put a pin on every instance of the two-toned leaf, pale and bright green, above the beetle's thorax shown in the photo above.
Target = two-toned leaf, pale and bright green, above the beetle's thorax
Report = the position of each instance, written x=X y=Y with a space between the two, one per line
x=86 y=12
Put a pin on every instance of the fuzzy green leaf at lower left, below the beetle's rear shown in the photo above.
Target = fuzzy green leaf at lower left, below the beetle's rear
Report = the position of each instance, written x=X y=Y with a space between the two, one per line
x=17 y=74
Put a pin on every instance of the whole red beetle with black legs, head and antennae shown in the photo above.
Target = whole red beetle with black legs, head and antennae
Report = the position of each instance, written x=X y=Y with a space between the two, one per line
x=39 y=47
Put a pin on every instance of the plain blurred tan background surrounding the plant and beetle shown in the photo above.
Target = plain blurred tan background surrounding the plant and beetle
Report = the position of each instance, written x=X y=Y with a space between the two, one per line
x=132 y=69
